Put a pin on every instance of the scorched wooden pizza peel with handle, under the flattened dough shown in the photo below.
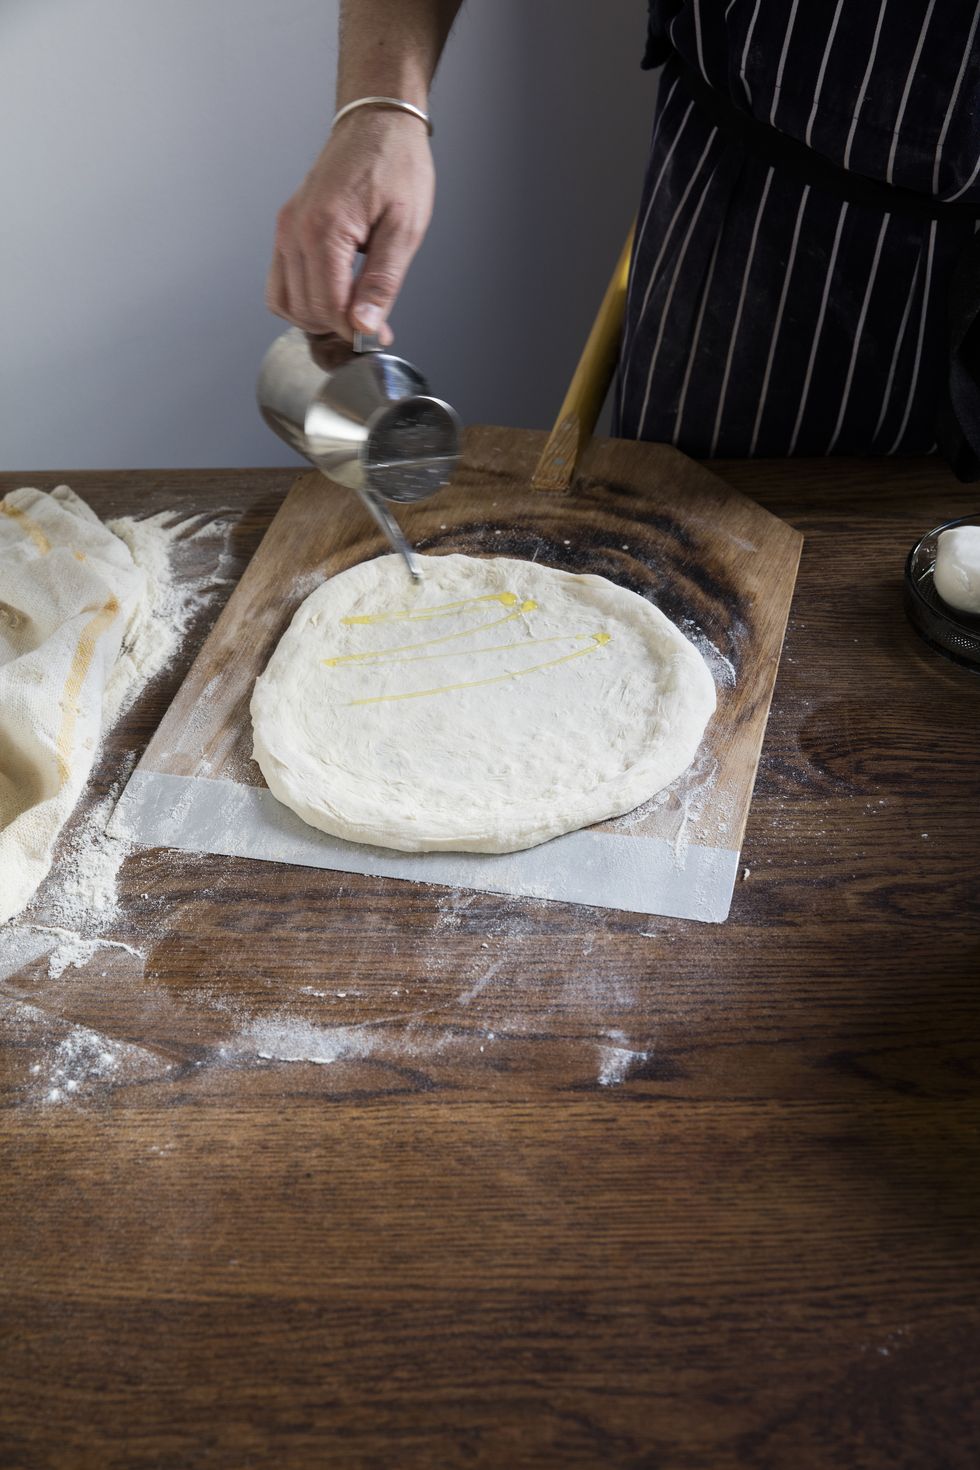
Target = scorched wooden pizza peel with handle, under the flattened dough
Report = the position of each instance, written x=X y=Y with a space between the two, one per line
x=644 y=517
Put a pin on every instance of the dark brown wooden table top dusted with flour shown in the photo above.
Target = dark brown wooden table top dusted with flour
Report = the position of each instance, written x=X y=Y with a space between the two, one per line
x=563 y=1187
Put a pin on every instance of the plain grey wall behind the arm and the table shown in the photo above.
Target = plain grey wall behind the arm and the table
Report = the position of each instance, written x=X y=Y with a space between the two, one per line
x=146 y=149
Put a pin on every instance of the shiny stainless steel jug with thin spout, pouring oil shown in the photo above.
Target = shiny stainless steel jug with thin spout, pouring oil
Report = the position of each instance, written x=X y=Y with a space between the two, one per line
x=365 y=418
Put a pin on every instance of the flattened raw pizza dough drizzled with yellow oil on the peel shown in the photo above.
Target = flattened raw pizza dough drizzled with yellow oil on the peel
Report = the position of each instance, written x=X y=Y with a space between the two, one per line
x=491 y=708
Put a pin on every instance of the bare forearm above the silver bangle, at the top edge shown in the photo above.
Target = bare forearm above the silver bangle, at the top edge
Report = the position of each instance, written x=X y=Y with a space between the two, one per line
x=392 y=48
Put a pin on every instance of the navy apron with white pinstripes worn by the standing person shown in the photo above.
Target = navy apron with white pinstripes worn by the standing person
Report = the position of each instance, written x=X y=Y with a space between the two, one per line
x=766 y=317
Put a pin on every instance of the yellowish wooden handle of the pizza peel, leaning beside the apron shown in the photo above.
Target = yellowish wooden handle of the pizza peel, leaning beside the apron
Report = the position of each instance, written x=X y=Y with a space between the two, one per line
x=588 y=387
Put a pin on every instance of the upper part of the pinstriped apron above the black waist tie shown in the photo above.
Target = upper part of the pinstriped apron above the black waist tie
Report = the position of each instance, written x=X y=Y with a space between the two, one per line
x=890 y=89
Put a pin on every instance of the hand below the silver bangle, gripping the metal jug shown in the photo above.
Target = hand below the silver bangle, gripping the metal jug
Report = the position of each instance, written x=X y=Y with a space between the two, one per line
x=371 y=190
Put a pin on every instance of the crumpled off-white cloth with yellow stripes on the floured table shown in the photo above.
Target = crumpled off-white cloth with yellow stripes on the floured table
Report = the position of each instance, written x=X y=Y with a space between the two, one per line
x=68 y=593
